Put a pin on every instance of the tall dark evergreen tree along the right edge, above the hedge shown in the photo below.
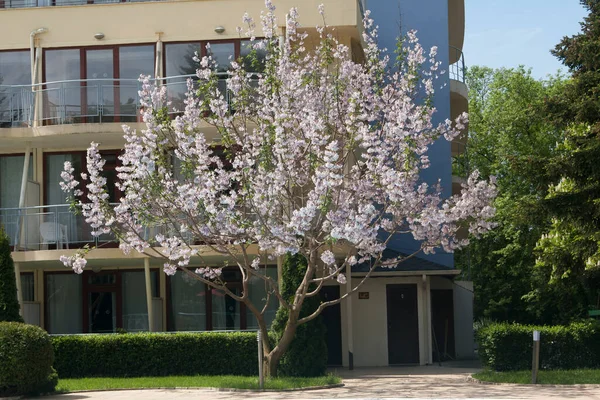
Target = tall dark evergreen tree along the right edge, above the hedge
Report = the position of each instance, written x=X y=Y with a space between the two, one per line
x=569 y=252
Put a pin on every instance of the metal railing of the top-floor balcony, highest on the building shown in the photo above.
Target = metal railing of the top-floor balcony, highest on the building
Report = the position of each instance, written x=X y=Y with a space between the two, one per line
x=85 y=101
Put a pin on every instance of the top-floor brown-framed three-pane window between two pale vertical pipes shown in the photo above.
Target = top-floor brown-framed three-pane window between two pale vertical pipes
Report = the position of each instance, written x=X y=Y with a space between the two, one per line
x=108 y=88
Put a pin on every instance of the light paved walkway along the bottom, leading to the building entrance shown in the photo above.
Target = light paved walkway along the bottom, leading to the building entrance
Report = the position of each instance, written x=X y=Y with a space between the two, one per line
x=444 y=382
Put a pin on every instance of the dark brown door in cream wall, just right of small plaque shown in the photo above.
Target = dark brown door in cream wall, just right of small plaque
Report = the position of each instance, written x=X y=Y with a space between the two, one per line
x=403 y=327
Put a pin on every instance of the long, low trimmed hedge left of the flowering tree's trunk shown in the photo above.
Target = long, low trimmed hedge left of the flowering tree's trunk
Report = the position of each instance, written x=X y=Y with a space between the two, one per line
x=156 y=354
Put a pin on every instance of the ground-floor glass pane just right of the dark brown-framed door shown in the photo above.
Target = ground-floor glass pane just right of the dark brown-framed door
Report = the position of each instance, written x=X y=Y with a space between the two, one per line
x=135 y=308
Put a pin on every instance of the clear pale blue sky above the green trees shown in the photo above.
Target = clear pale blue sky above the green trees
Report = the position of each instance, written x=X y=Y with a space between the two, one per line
x=506 y=33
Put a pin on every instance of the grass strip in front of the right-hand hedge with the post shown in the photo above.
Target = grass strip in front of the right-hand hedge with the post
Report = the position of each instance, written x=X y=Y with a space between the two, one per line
x=561 y=377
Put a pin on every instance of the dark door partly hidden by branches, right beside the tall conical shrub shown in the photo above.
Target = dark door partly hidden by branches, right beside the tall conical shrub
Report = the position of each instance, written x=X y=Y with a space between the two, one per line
x=332 y=318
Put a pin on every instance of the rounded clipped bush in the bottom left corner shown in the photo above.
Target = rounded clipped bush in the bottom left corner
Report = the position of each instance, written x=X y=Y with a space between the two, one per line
x=26 y=360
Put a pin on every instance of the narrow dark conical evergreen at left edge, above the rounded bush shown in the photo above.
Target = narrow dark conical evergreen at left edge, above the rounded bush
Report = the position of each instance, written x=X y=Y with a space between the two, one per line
x=9 y=305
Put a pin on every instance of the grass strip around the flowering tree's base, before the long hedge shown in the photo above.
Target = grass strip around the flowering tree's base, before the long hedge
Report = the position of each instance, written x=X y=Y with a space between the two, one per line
x=223 y=381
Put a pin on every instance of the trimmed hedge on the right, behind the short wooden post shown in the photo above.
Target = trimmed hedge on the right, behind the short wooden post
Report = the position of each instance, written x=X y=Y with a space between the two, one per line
x=508 y=347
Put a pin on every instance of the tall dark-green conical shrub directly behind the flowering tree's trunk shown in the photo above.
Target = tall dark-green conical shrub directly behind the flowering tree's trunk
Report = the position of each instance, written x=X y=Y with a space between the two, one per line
x=307 y=354
